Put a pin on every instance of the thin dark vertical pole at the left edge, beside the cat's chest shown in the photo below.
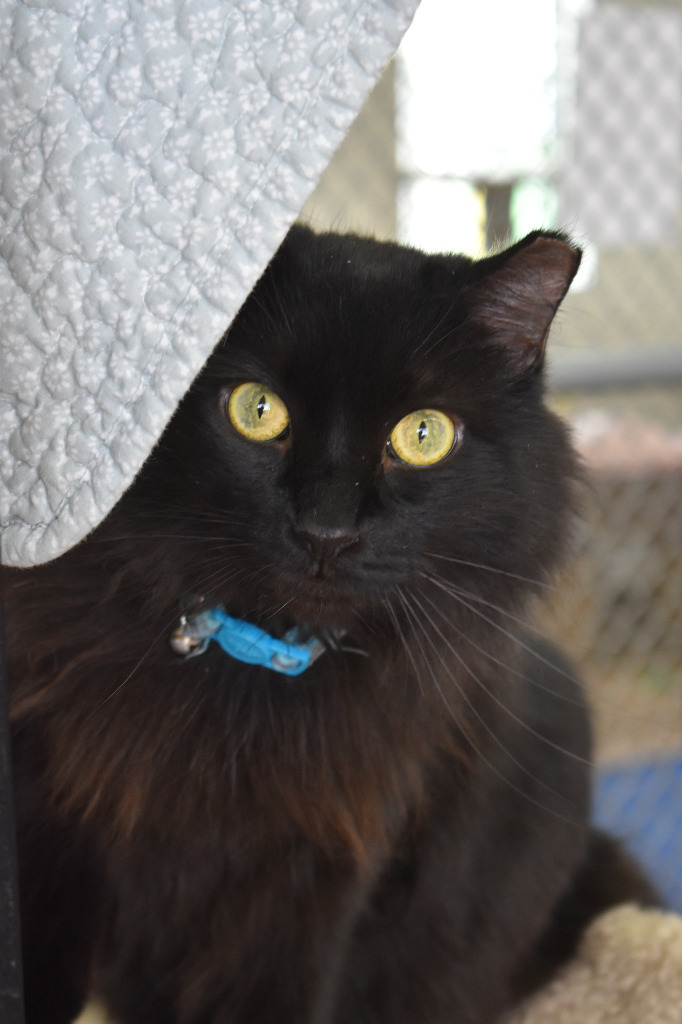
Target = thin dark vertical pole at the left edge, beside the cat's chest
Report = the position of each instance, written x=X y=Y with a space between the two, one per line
x=12 y=997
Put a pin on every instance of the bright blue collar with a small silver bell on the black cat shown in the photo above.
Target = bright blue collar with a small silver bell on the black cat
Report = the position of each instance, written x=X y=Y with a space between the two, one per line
x=245 y=642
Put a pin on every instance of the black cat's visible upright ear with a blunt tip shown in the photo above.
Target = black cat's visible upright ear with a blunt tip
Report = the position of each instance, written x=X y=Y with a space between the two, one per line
x=520 y=292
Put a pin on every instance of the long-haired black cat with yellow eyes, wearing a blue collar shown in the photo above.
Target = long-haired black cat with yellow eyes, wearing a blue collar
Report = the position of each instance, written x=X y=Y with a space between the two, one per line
x=284 y=751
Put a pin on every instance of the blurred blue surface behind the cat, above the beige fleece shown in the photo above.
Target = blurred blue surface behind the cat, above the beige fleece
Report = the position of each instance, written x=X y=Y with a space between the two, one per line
x=641 y=802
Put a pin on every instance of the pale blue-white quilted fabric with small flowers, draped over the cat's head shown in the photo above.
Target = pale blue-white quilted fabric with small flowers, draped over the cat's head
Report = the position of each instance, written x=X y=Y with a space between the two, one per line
x=153 y=154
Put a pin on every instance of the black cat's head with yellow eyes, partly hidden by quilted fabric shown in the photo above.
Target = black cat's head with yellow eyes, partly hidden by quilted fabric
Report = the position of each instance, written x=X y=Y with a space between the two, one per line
x=372 y=422
